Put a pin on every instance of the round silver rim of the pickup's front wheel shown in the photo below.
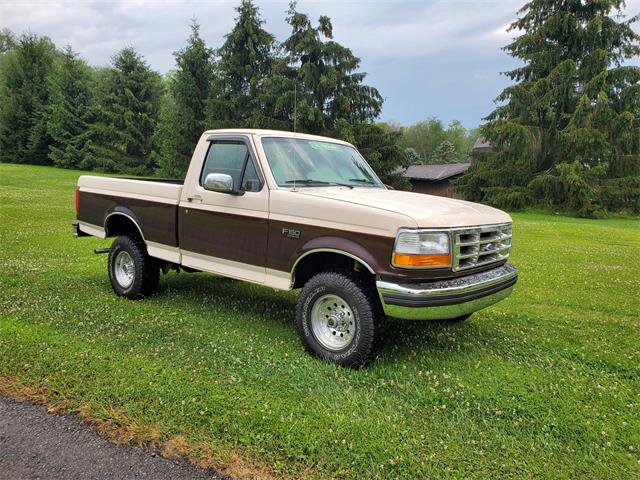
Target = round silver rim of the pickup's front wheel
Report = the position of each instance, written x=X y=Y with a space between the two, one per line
x=332 y=322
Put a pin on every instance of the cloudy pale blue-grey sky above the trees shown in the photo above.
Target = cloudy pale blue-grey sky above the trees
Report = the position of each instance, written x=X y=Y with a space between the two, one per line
x=428 y=58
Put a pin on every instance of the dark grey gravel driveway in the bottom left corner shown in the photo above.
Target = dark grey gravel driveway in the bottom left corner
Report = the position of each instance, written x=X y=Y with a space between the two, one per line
x=35 y=444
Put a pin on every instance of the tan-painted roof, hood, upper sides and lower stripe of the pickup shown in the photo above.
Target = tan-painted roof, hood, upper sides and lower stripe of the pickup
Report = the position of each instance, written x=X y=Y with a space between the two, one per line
x=371 y=211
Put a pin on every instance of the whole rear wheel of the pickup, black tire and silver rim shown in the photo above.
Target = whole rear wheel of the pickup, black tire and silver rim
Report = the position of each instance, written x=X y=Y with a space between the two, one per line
x=132 y=272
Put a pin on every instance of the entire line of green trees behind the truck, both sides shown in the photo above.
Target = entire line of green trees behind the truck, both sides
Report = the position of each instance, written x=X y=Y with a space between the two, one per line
x=565 y=135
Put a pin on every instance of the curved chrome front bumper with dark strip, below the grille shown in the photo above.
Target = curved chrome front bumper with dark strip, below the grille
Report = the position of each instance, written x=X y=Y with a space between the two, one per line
x=444 y=299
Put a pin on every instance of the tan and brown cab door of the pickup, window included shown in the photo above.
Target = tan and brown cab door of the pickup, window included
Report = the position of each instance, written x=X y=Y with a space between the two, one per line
x=226 y=233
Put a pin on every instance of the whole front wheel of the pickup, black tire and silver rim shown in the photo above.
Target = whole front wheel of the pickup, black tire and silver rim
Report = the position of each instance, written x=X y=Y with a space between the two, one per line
x=339 y=319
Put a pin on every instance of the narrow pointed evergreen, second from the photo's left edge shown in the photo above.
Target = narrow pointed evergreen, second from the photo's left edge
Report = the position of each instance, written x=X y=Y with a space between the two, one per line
x=70 y=111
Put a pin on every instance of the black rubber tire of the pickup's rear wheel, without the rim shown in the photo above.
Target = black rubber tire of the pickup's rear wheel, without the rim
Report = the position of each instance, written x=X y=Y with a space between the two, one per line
x=146 y=271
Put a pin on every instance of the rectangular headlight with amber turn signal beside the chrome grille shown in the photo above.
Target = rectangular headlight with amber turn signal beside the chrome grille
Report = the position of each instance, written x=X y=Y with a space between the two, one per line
x=415 y=249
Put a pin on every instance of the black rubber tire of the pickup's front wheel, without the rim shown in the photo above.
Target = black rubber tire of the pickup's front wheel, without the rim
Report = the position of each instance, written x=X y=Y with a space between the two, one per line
x=363 y=302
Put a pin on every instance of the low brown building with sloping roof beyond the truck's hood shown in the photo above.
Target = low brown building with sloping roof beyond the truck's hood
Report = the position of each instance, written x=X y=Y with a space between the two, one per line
x=435 y=179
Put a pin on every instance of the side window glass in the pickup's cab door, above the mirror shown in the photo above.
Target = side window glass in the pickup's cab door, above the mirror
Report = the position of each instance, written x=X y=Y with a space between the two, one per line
x=232 y=157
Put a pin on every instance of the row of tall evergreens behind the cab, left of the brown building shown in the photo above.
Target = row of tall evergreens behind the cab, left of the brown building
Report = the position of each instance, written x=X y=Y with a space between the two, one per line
x=55 y=109
